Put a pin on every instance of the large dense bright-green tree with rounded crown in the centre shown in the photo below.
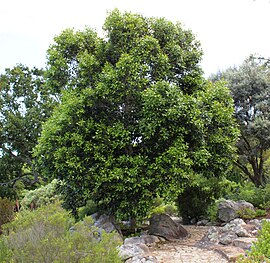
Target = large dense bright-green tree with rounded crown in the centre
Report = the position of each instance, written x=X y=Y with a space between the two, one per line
x=136 y=118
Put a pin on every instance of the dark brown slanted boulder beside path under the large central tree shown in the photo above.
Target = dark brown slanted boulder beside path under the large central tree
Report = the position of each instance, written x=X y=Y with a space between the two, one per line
x=162 y=225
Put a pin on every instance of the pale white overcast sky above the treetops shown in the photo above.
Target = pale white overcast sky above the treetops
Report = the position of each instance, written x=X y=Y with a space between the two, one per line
x=229 y=30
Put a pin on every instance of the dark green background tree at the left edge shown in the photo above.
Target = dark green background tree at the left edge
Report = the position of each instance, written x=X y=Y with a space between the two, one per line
x=24 y=105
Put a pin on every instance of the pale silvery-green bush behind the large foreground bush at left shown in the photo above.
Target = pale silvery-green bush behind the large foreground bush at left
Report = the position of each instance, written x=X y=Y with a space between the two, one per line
x=41 y=196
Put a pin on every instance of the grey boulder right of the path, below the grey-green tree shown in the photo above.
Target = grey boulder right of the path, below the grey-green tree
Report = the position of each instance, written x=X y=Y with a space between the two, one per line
x=228 y=210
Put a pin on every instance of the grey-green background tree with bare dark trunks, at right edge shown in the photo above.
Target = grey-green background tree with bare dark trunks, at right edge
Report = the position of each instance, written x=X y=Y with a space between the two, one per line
x=250 y=87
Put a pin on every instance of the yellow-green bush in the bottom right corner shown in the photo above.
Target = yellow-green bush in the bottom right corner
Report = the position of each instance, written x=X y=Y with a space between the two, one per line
x=260 y=251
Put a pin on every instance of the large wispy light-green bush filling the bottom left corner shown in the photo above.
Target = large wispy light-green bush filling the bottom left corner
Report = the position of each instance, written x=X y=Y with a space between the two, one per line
x=45 y=235
